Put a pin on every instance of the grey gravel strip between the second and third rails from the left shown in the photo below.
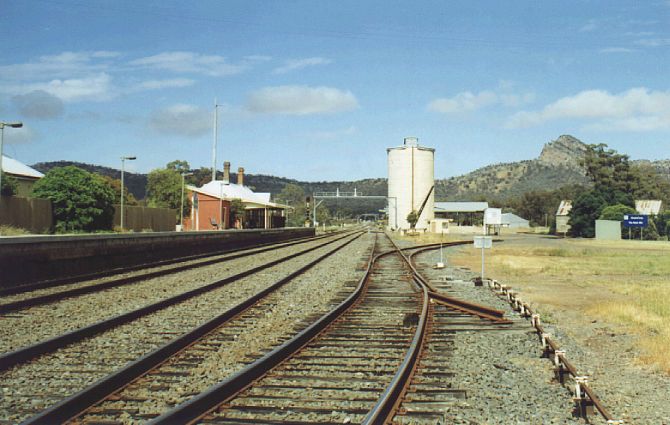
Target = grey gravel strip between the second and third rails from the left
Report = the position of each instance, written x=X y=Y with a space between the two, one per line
x=29 y=388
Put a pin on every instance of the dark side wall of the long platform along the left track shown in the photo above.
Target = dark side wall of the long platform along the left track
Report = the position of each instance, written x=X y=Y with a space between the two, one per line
x=32 y=259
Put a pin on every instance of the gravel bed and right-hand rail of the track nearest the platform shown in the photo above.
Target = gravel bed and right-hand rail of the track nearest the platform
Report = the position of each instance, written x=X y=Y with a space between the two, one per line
x=39 y=330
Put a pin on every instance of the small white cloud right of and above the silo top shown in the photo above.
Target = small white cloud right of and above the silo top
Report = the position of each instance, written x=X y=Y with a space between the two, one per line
x=468 y=101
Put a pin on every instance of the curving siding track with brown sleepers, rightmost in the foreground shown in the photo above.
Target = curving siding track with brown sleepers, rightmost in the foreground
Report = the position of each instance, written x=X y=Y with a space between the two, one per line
x=345 y=368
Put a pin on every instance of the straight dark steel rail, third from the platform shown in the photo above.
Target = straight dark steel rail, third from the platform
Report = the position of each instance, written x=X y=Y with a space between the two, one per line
x=78 y=403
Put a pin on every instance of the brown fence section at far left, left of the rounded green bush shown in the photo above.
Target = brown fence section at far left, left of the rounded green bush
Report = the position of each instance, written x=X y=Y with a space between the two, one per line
x=32 y=214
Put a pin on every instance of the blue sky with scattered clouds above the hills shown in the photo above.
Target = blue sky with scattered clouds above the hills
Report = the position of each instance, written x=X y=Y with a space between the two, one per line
x=317 y=90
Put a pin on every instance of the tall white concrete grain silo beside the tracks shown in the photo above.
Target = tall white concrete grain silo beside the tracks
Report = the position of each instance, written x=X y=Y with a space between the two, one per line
x=411 y=177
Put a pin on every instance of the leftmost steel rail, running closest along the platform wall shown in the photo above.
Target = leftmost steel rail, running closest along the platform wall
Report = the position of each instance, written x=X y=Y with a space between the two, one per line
x=71 y=293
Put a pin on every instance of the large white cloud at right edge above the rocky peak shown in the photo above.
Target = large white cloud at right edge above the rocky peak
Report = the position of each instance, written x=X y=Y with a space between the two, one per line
x=637 y=109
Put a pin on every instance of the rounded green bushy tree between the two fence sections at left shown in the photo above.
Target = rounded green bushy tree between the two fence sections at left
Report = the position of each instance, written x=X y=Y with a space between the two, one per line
x=81 y=201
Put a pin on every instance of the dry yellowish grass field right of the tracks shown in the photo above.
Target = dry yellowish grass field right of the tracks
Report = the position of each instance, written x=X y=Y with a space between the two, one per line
x=623 y=283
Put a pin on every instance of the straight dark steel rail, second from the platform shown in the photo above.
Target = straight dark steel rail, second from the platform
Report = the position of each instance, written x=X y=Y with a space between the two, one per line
x=25 y=354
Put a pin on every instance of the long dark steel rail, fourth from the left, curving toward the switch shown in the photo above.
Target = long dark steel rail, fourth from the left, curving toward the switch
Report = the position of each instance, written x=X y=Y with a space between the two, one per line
x=200 y=405
